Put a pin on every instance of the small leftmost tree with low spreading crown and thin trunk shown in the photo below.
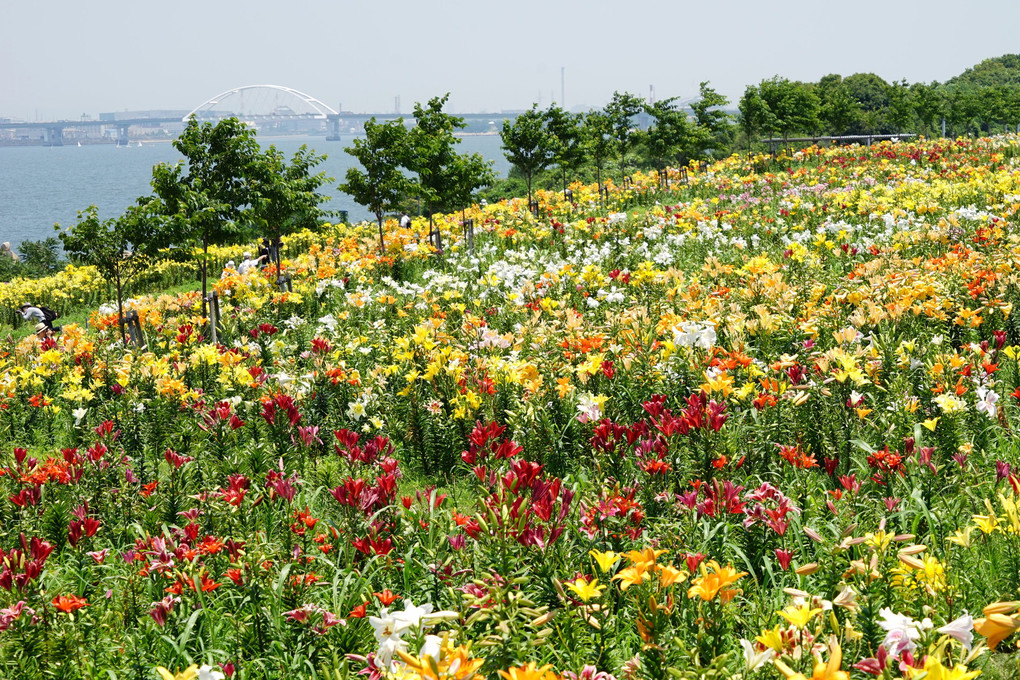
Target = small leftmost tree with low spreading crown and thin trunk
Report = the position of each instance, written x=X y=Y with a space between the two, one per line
x=120 y=248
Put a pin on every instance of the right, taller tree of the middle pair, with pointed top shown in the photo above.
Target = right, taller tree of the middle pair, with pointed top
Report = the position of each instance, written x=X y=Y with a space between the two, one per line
x=445 y=181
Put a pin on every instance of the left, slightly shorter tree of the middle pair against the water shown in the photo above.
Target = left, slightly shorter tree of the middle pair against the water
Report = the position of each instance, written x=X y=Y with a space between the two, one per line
x=382 y=185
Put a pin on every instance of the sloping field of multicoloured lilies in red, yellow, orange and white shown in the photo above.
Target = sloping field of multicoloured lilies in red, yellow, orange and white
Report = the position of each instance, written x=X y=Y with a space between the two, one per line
x=758 y=426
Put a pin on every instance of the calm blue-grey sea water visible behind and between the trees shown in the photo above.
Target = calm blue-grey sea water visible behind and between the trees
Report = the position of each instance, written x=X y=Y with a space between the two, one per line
x=43 y=186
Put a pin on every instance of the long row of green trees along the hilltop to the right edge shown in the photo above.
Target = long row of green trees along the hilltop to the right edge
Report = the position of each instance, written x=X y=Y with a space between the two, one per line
x=630 y=131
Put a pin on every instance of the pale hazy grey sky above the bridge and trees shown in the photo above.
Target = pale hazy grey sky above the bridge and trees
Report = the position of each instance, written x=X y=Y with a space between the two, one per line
x=64 y=59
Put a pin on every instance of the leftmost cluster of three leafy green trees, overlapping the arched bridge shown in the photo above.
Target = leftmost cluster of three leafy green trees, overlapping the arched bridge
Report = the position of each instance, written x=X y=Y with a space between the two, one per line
x=227 y=190
